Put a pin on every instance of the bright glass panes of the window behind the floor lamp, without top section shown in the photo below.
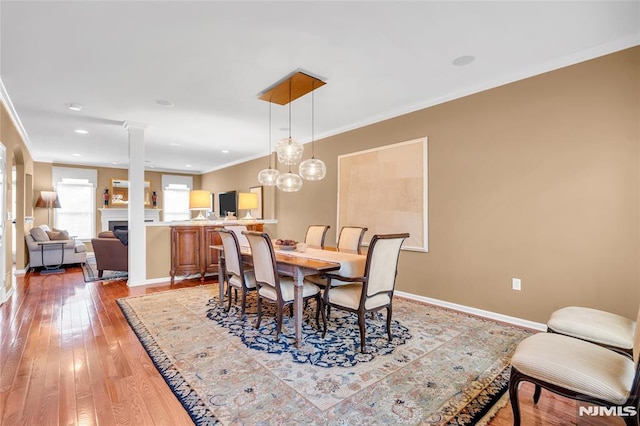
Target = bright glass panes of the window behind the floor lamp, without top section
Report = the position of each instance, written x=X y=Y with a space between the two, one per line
x=77 y=208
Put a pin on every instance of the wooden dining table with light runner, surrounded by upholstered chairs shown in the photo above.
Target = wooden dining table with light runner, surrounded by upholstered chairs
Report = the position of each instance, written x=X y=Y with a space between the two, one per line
x=298 y=264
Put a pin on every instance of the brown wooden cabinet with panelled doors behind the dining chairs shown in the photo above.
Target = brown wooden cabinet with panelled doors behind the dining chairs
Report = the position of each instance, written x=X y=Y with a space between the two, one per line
x=191 y=252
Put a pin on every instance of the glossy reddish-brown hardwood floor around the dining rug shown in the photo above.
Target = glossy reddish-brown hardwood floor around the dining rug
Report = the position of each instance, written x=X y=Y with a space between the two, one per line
x=69 y=357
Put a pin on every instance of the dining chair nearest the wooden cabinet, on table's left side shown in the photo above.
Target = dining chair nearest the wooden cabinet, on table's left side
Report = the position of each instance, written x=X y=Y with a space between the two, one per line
x=237 y=275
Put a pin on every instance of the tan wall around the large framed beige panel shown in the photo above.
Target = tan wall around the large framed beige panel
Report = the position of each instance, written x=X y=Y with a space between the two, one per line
x=538 y=179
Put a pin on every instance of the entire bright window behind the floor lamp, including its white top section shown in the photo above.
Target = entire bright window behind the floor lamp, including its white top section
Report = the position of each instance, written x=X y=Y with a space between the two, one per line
x=76 y=190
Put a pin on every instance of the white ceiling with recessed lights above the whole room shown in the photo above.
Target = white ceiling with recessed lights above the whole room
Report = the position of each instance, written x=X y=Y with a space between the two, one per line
x=211 y=59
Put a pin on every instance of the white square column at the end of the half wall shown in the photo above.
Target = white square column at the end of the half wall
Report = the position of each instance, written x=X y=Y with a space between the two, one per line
x=137 y=229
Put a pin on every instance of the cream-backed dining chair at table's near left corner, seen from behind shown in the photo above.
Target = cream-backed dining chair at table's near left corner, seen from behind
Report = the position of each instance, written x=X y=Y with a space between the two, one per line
x=273 y=288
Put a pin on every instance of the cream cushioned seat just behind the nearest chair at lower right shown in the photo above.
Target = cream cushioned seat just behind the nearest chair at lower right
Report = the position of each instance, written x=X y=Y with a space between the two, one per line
x=606 y=329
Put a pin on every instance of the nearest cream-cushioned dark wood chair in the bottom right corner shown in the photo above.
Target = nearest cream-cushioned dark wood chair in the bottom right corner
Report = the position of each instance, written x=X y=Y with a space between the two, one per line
x=579 y=370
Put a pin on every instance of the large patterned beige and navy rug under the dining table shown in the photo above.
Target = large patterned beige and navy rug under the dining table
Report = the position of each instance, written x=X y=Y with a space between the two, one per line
x=442 y=367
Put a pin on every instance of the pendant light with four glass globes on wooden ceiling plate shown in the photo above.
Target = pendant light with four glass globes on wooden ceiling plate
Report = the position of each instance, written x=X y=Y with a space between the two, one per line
x=289 y=151
